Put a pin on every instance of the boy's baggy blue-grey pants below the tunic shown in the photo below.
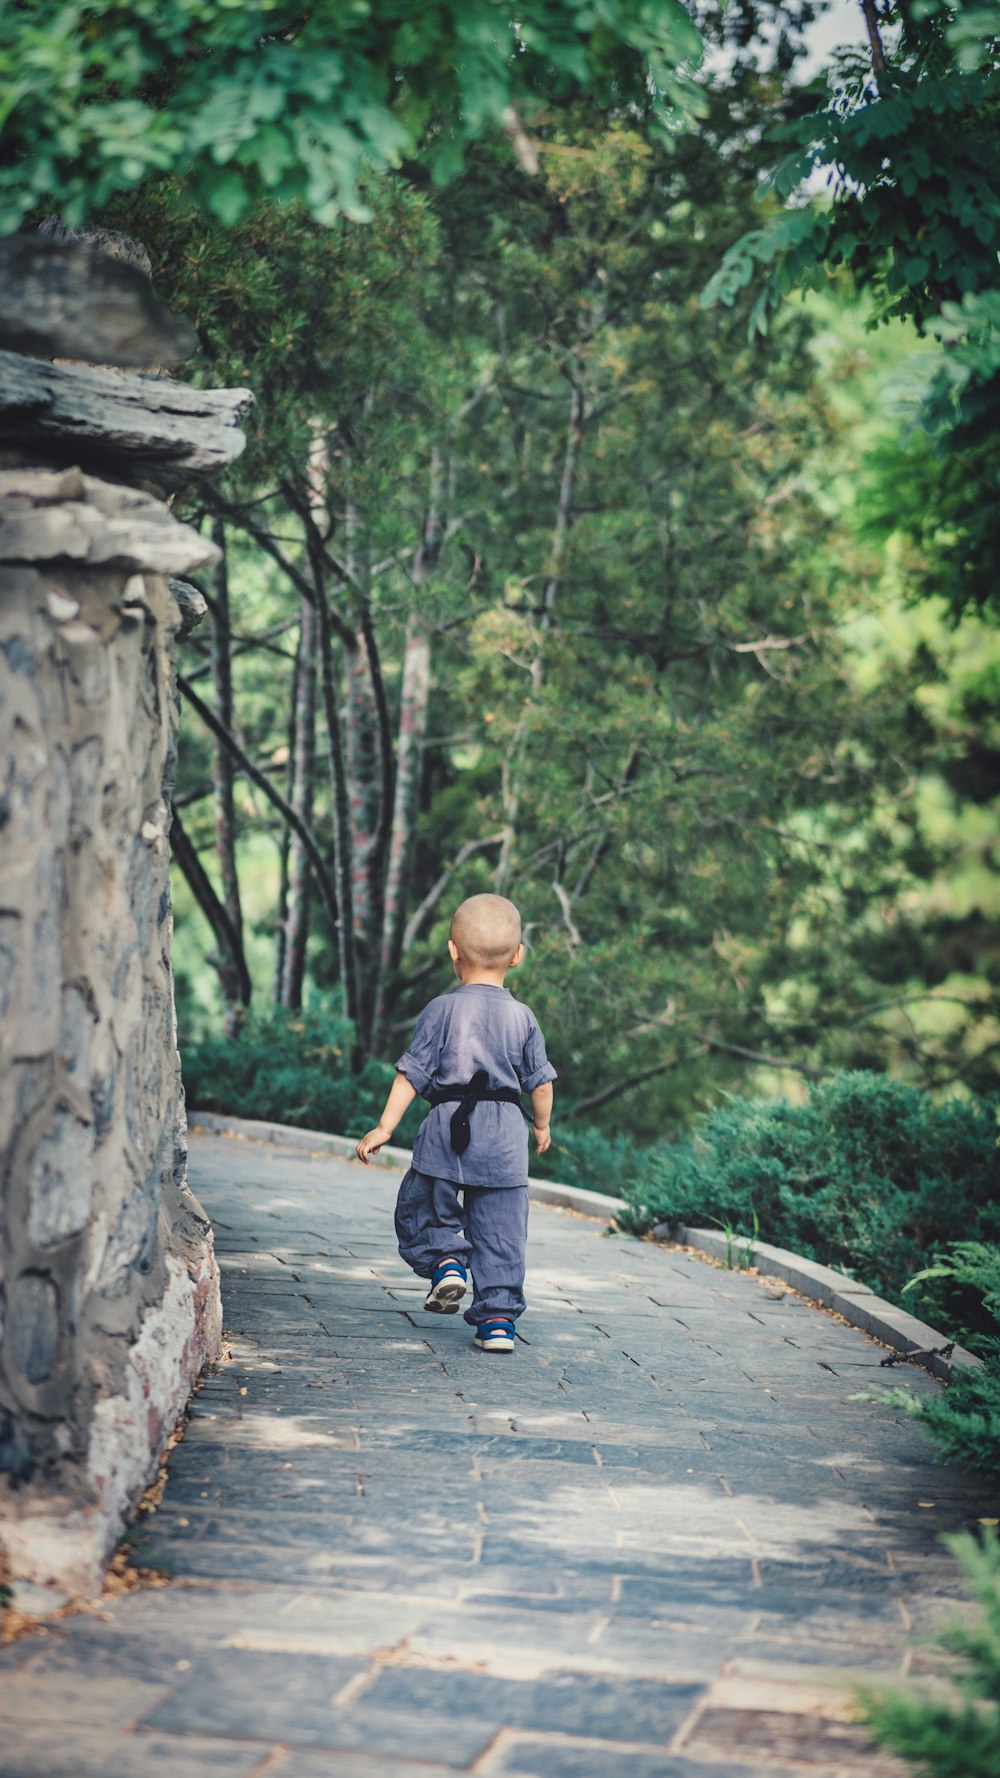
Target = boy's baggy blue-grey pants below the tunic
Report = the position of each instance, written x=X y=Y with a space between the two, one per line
x=487 y=1231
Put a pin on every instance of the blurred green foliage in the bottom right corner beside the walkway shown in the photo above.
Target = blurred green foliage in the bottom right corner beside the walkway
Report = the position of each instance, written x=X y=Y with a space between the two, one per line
x=955 y=1736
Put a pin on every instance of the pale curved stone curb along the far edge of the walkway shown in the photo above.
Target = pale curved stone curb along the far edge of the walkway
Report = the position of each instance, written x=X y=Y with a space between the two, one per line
x=855 y=1302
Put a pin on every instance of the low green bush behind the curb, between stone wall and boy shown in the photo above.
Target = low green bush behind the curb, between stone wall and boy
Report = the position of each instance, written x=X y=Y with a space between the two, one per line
x=293 y=1069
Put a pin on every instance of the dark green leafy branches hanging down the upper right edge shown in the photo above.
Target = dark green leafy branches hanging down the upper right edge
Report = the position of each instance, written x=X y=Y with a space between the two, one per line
x=910 y=145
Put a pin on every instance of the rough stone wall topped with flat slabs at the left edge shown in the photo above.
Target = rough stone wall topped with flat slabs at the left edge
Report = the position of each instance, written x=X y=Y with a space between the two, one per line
x=109 y=1290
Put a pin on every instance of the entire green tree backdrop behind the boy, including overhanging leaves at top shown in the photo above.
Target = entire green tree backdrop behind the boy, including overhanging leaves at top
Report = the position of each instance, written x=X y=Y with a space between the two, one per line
x=618 y=529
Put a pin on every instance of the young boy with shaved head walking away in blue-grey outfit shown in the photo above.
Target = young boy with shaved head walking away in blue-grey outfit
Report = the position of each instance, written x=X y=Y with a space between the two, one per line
x=472 y=1055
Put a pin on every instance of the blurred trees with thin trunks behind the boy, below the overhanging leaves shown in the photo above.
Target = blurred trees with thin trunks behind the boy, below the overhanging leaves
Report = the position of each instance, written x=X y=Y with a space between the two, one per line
x=544 y=575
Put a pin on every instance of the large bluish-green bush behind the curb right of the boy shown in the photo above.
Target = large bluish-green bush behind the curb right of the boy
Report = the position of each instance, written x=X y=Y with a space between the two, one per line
x=869 y=1176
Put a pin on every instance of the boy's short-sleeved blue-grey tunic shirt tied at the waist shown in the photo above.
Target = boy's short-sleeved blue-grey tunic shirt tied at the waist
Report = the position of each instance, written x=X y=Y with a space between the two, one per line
x=476 y=1027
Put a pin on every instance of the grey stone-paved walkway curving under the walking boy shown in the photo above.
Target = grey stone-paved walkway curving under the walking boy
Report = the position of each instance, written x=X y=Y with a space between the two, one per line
x=647 y=1546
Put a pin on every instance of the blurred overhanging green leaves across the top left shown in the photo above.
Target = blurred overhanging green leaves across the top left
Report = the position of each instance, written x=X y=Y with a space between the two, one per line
x=255 y=100
